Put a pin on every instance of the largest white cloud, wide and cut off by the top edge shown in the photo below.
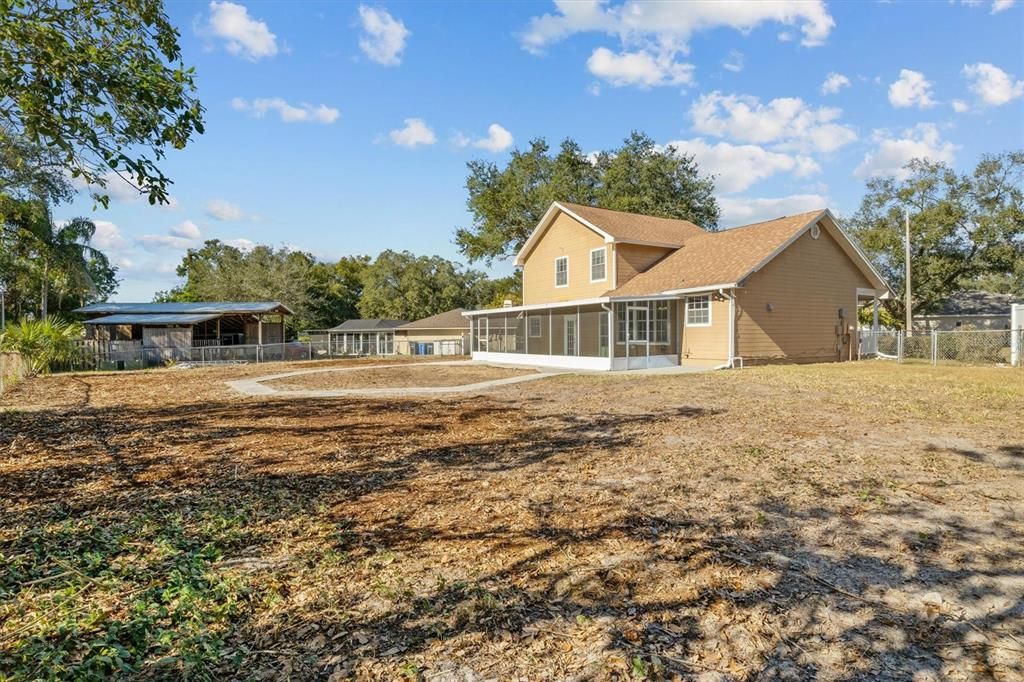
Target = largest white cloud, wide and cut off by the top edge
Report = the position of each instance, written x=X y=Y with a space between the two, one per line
x=671 y=25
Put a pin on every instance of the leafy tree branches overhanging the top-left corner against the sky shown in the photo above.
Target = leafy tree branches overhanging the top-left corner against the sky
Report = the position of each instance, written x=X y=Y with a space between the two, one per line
x=99 y=83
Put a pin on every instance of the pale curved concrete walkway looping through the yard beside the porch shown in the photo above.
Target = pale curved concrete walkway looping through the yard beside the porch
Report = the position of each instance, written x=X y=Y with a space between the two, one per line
x=258 y=388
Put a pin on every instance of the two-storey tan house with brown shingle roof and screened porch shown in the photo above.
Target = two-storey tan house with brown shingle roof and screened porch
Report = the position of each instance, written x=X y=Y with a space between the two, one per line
x=606 y=290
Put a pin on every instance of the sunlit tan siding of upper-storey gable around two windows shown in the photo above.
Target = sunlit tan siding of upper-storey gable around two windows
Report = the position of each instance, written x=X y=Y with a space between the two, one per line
x=566 y=237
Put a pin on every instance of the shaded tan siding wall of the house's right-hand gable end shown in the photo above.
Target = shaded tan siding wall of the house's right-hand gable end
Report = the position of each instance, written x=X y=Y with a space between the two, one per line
x=806 y=286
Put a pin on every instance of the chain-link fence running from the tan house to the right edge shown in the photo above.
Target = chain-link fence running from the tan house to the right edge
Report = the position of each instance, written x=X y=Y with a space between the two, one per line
x=992 y=348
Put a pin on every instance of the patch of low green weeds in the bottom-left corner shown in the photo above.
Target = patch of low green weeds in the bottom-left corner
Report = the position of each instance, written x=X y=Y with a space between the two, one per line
x=135 y=595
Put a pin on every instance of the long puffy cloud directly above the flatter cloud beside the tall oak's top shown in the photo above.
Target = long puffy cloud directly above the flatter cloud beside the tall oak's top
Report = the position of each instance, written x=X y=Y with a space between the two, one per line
x=789 y=122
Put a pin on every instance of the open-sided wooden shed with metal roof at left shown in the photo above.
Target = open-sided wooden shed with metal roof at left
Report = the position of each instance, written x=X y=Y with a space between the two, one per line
x=187 y=325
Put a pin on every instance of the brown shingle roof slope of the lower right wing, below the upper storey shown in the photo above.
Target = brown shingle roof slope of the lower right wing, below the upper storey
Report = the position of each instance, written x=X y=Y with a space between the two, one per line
x=716 y=259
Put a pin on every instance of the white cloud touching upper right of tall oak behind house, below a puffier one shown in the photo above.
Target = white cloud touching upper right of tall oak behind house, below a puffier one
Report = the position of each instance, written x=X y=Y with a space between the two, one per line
x=737 y=167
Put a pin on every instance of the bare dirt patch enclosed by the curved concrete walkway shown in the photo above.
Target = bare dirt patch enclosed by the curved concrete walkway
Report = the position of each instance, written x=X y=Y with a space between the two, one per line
x=400 y=377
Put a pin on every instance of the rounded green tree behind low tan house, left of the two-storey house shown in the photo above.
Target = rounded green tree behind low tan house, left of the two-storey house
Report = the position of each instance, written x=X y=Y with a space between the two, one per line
x=402 y=286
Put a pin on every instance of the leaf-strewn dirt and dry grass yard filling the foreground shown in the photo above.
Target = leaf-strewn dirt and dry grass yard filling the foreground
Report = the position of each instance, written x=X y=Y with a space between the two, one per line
x=835 y=523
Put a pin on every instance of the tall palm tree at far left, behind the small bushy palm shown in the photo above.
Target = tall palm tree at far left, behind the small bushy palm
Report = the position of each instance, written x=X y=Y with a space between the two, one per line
x=62 y=249
